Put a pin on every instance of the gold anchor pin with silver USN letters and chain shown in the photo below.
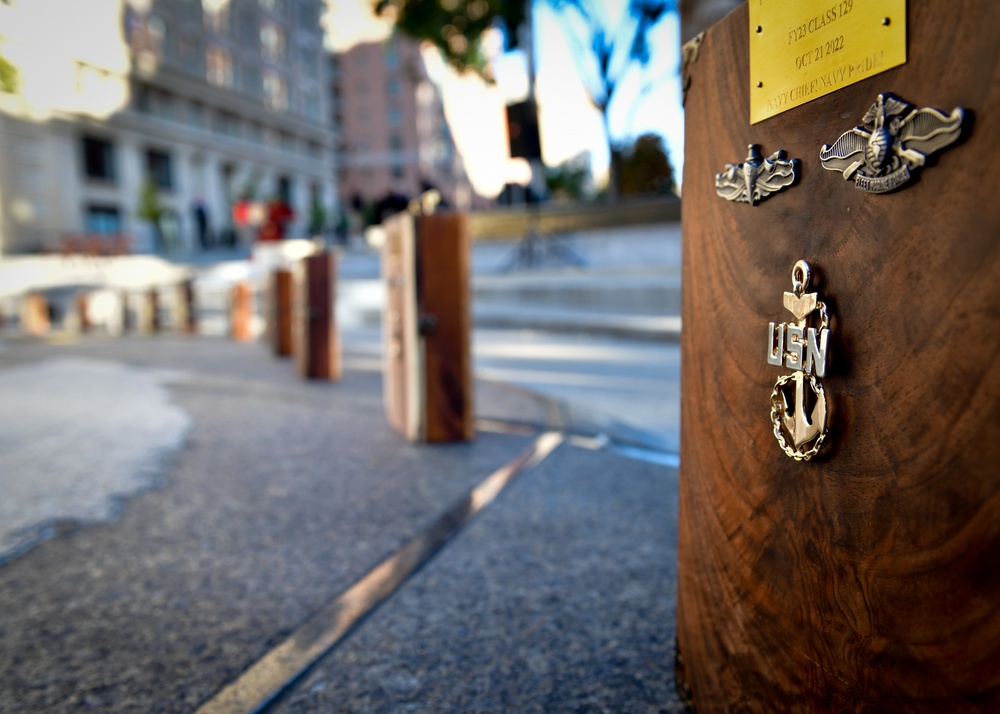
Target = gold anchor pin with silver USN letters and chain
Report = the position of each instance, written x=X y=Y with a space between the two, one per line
x=798 y=403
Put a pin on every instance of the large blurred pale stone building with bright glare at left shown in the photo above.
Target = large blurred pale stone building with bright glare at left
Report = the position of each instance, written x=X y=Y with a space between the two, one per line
x=128 y=109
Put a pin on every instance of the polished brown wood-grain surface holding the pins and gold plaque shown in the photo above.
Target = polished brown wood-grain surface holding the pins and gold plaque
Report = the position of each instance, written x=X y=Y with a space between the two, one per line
x=866 y=579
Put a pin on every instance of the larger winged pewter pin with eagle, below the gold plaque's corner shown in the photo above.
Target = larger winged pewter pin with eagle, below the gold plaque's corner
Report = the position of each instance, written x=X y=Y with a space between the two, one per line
x=896 y=139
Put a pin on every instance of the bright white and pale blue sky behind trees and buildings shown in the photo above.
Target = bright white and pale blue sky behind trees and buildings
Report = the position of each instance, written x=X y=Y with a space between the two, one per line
x=648 y=99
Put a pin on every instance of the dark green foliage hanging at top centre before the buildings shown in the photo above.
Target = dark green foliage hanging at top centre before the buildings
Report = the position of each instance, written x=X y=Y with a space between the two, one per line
x=455 y=27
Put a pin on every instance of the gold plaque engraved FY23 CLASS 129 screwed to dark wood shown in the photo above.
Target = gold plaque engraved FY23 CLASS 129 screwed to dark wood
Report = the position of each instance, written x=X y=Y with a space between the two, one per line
x=803 y=49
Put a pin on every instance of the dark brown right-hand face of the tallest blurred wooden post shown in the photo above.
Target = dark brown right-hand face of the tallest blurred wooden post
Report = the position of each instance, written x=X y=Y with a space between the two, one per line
x=444 y=297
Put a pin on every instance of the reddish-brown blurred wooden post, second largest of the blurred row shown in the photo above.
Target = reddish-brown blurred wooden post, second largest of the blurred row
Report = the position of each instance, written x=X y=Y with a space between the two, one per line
x=316 y=342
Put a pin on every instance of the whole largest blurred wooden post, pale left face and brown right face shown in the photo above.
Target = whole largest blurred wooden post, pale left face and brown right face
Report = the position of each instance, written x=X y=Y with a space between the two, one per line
x=428 y=366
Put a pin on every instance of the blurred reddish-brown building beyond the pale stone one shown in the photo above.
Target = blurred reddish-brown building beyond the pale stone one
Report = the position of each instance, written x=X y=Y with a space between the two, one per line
x=391 y=128
